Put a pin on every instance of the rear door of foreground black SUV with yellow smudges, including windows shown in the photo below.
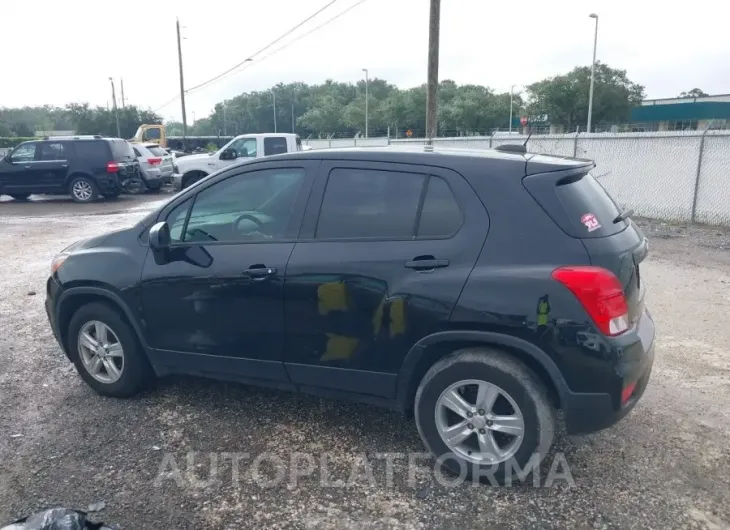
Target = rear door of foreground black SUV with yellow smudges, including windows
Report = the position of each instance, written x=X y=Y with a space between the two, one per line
x=383 y=255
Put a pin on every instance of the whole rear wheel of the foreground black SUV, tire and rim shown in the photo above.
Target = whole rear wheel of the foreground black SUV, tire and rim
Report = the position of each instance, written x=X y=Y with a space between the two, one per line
x=484 y=414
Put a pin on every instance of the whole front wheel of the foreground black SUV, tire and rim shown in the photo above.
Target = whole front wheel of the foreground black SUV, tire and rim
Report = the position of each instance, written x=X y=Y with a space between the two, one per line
x=106 y=351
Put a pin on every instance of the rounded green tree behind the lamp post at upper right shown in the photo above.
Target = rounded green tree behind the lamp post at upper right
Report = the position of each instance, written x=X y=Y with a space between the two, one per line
x=564 y=98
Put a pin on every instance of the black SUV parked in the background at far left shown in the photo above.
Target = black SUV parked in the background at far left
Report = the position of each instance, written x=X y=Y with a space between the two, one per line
x=81 y=166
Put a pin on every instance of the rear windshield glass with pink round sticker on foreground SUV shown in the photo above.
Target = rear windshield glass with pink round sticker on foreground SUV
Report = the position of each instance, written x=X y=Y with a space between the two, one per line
x=580 y=206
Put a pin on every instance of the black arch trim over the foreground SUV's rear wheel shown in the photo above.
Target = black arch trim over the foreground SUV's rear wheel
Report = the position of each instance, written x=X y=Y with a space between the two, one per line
x=430 y=349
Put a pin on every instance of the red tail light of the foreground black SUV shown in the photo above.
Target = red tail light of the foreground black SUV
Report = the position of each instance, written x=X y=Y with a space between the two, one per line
x=601 y=295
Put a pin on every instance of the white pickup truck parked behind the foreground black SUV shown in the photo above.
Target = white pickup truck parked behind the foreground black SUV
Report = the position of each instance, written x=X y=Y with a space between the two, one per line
x=192 y=168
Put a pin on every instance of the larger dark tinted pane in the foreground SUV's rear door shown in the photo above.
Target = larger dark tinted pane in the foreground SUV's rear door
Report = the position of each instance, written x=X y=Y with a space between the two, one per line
x=370 y=203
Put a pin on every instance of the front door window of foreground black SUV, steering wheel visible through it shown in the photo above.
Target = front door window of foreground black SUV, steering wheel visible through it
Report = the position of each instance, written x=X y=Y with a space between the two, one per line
x=254 y=206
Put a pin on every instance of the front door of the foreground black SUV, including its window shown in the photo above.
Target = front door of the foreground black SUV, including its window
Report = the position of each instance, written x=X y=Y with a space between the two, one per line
x=217 y=306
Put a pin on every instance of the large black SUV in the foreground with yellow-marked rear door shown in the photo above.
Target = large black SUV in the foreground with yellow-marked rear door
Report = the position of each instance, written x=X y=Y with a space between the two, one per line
x=480 y=290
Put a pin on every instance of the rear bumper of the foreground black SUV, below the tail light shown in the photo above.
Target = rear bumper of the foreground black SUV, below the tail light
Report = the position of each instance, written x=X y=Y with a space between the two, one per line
x=585 y=413
